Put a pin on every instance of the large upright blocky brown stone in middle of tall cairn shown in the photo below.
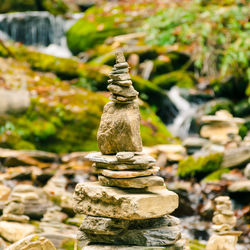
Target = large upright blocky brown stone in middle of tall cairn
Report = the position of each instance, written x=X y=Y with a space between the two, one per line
x=119 y=128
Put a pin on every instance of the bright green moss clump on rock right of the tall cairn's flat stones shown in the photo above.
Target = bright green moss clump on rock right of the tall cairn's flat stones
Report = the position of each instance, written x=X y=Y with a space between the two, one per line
x=199 y=166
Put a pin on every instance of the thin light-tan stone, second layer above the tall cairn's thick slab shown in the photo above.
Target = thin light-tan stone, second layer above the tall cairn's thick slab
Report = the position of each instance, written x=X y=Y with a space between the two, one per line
x=129 y=174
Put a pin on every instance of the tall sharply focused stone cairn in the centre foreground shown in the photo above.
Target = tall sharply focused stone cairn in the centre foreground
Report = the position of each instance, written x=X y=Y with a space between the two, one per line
x=129 y=206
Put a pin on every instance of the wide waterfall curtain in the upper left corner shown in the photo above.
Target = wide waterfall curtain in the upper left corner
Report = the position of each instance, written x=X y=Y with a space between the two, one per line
x=38 y=28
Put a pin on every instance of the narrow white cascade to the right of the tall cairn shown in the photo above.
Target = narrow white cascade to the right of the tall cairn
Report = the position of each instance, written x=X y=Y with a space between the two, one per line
x=182 y=122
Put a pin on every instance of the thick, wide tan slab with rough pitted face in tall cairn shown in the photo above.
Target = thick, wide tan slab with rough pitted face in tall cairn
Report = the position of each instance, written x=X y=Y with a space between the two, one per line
x=93 y=199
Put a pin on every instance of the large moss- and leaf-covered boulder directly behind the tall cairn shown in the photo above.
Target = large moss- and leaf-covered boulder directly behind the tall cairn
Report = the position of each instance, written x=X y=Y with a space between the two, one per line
x=61 y=117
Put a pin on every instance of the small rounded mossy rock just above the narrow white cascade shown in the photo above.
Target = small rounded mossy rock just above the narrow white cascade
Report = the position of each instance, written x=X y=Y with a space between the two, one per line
x=182 y=79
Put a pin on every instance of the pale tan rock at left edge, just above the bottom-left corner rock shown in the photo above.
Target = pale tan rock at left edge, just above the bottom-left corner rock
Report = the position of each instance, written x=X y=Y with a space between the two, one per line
x=13 y=231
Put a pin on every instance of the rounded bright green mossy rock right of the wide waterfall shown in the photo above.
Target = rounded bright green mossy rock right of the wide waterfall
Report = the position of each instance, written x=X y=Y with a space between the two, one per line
x=95 y=27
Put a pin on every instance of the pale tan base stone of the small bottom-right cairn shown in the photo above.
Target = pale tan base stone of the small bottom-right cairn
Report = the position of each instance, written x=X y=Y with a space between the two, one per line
x=222 y=242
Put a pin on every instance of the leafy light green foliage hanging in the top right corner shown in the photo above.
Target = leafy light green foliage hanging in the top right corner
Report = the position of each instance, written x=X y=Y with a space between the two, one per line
x=217 y=37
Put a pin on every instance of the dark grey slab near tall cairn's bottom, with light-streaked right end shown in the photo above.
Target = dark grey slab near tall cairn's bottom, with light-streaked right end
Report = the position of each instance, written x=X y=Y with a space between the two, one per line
x=160 y=236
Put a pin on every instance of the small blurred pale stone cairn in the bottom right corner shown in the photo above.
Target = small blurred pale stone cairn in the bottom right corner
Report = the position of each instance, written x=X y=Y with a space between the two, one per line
x=223 y=222
